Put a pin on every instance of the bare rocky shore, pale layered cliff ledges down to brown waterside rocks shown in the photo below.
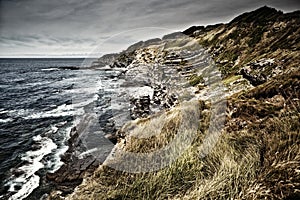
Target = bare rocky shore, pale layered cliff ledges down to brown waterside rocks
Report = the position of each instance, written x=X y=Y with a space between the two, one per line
x=141 y=70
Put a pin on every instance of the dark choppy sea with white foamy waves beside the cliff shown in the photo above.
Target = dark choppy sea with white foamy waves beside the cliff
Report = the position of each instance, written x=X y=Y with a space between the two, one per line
x=37 y=111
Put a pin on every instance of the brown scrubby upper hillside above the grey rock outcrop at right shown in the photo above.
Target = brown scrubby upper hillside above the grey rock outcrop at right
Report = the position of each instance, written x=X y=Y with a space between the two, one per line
x=263 y=33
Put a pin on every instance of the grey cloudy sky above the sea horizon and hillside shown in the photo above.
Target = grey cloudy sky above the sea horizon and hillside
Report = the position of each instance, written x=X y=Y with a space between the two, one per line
x=78 y=28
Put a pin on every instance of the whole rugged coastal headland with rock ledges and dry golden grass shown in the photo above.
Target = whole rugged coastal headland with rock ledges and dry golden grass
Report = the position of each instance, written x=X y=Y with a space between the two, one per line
x=257 y=154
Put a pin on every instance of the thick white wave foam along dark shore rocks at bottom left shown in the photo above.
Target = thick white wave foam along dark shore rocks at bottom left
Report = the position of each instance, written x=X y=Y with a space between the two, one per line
x=29 y=180
